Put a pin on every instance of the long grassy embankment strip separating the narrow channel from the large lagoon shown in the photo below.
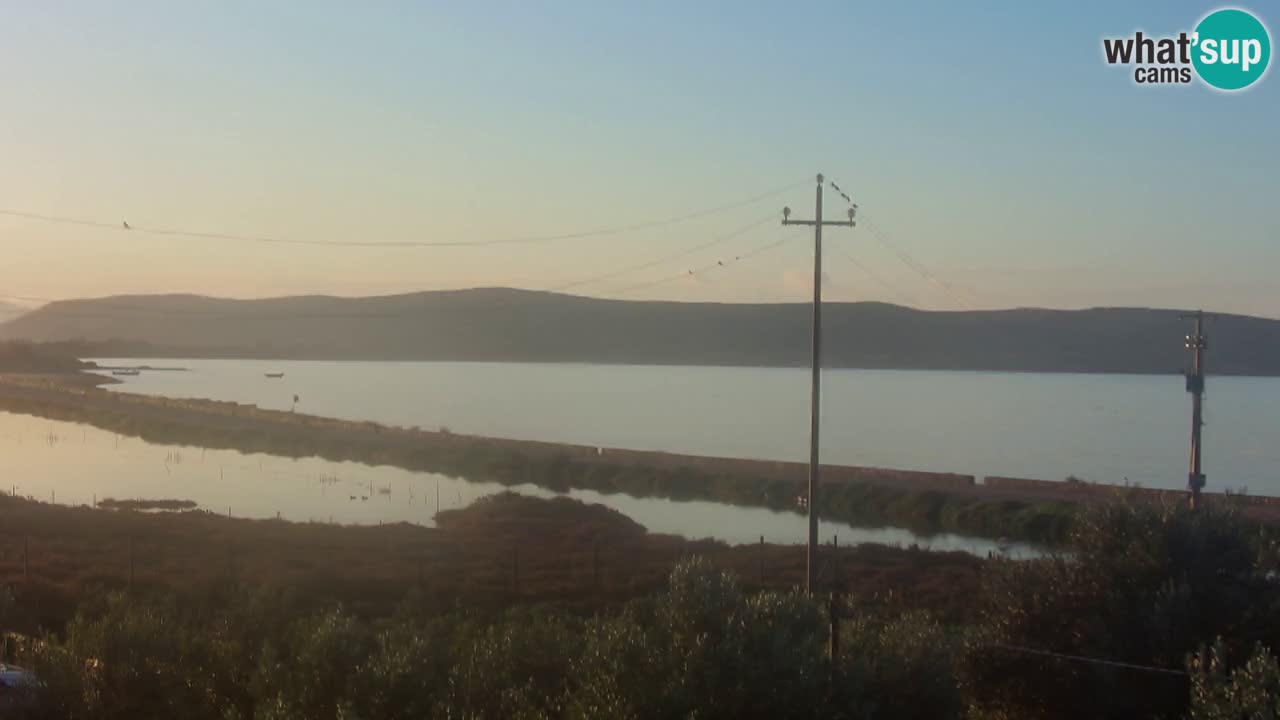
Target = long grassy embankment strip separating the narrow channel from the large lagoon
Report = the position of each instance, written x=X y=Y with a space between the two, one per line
x=925 y=503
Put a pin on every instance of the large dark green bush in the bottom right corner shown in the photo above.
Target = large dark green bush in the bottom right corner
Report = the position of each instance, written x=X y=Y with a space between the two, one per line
x=1141 y=582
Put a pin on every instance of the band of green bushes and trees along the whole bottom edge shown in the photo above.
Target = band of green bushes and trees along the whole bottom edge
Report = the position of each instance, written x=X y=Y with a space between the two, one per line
x=1141 y=584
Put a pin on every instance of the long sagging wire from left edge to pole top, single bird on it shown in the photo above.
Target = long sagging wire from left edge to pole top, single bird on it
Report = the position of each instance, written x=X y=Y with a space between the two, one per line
x=125 y=227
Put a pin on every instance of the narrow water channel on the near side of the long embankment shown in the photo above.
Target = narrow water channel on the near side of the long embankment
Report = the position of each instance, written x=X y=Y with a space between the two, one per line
x=75 y=464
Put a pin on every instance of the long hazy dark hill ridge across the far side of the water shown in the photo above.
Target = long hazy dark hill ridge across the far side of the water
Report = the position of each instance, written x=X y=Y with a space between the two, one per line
x=522 y=326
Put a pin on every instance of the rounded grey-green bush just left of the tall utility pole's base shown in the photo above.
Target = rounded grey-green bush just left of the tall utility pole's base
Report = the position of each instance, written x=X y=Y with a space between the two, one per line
x=703 y=650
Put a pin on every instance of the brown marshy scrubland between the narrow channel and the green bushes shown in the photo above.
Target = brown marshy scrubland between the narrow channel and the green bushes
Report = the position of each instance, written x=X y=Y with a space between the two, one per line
x=505 y=552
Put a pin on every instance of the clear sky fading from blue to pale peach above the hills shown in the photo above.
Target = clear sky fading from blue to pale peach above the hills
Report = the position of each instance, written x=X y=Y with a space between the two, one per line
x=995 y=158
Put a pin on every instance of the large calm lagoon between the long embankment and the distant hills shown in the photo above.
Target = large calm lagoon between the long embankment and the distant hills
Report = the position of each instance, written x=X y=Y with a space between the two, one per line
x=1101 y=429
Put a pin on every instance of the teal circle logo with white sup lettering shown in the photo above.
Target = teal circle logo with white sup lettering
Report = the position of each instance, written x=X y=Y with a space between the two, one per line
x=1232 y=51
